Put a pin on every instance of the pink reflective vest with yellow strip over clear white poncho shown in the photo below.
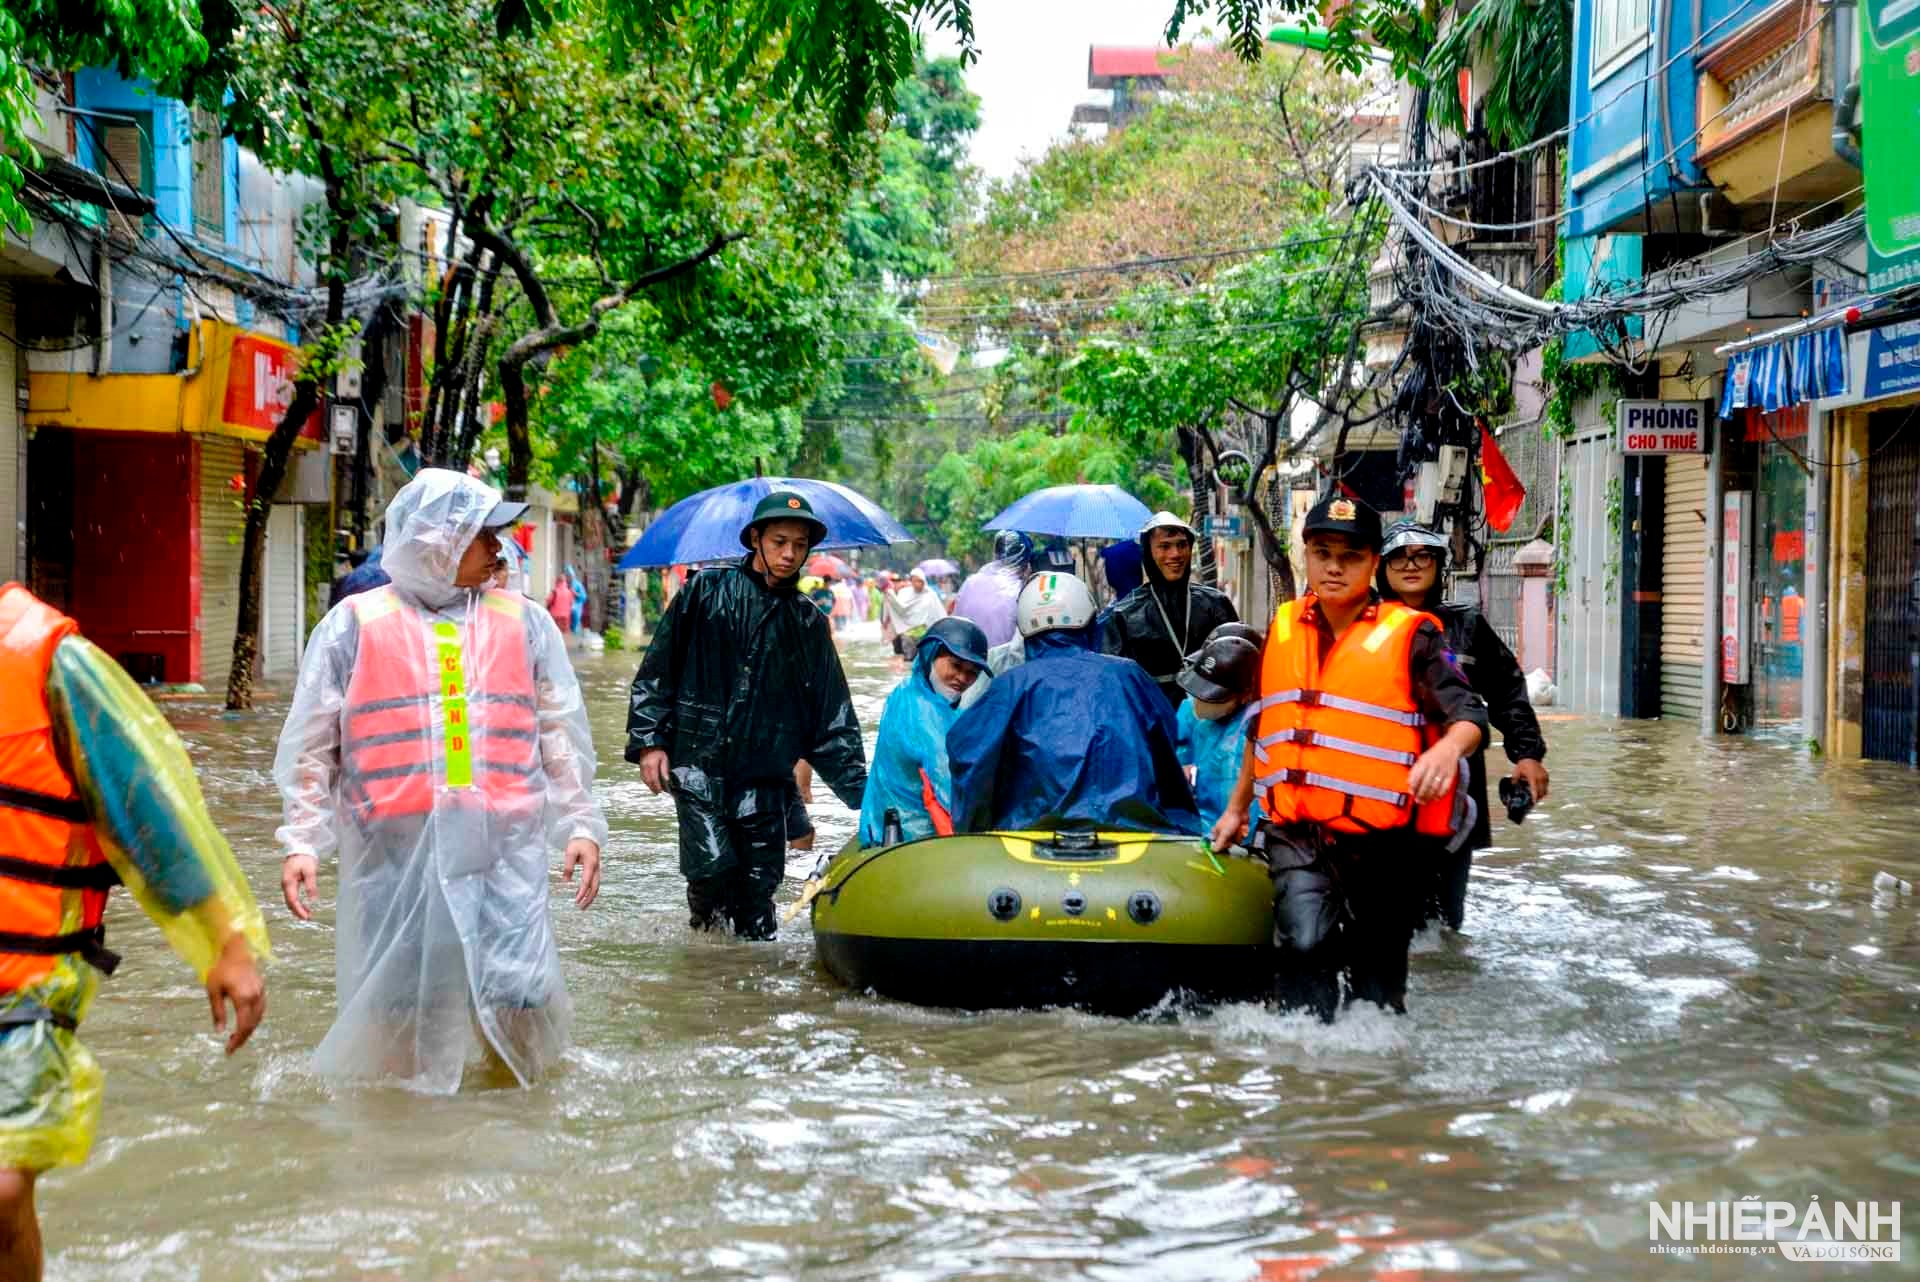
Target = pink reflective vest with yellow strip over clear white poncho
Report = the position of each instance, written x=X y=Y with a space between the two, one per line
x=402 y=751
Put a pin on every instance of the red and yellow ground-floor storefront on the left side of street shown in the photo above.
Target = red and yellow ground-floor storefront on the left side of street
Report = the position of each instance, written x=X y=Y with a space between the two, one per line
x=137 y=506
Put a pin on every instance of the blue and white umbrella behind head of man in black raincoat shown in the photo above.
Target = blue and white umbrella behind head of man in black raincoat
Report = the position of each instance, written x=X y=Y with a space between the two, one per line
x=708 y=527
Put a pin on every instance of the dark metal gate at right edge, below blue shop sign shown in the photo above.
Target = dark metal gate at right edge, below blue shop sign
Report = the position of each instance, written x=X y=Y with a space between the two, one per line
x=1888 y=723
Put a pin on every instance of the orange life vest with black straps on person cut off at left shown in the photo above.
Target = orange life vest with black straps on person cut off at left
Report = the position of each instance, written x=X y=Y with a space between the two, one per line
x=55 y=878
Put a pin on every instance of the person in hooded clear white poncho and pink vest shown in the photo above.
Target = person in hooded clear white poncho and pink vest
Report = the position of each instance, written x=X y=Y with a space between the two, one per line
x=441 y=748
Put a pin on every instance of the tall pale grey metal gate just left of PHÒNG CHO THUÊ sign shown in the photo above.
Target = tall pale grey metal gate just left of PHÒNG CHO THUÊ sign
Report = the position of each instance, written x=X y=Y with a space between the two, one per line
x=1589 y=538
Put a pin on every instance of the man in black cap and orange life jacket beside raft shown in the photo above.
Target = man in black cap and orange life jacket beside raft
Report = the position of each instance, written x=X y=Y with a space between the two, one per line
x=1358 y=753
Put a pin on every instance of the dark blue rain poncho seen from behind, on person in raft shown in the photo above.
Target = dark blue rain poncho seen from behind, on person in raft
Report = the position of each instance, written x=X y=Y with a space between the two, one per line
x=1070 y=740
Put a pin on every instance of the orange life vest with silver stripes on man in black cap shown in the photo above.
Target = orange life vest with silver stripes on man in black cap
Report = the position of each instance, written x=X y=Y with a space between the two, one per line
x=1337 y=734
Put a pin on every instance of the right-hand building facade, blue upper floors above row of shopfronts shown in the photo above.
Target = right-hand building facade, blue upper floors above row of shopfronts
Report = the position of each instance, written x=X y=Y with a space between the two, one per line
x=1765 y=563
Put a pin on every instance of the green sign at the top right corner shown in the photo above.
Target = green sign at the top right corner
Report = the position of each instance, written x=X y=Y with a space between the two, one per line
x=1890 y=91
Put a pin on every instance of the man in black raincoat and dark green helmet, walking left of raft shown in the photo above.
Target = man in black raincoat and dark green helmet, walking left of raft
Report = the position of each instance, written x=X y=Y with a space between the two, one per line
x=740 y=684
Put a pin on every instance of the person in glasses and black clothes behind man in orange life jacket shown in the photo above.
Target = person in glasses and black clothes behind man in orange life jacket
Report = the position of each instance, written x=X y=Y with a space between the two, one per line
x=1414 y=569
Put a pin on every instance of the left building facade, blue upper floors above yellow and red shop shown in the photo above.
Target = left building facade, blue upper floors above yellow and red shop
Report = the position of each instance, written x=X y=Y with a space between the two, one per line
x=151 y=360
